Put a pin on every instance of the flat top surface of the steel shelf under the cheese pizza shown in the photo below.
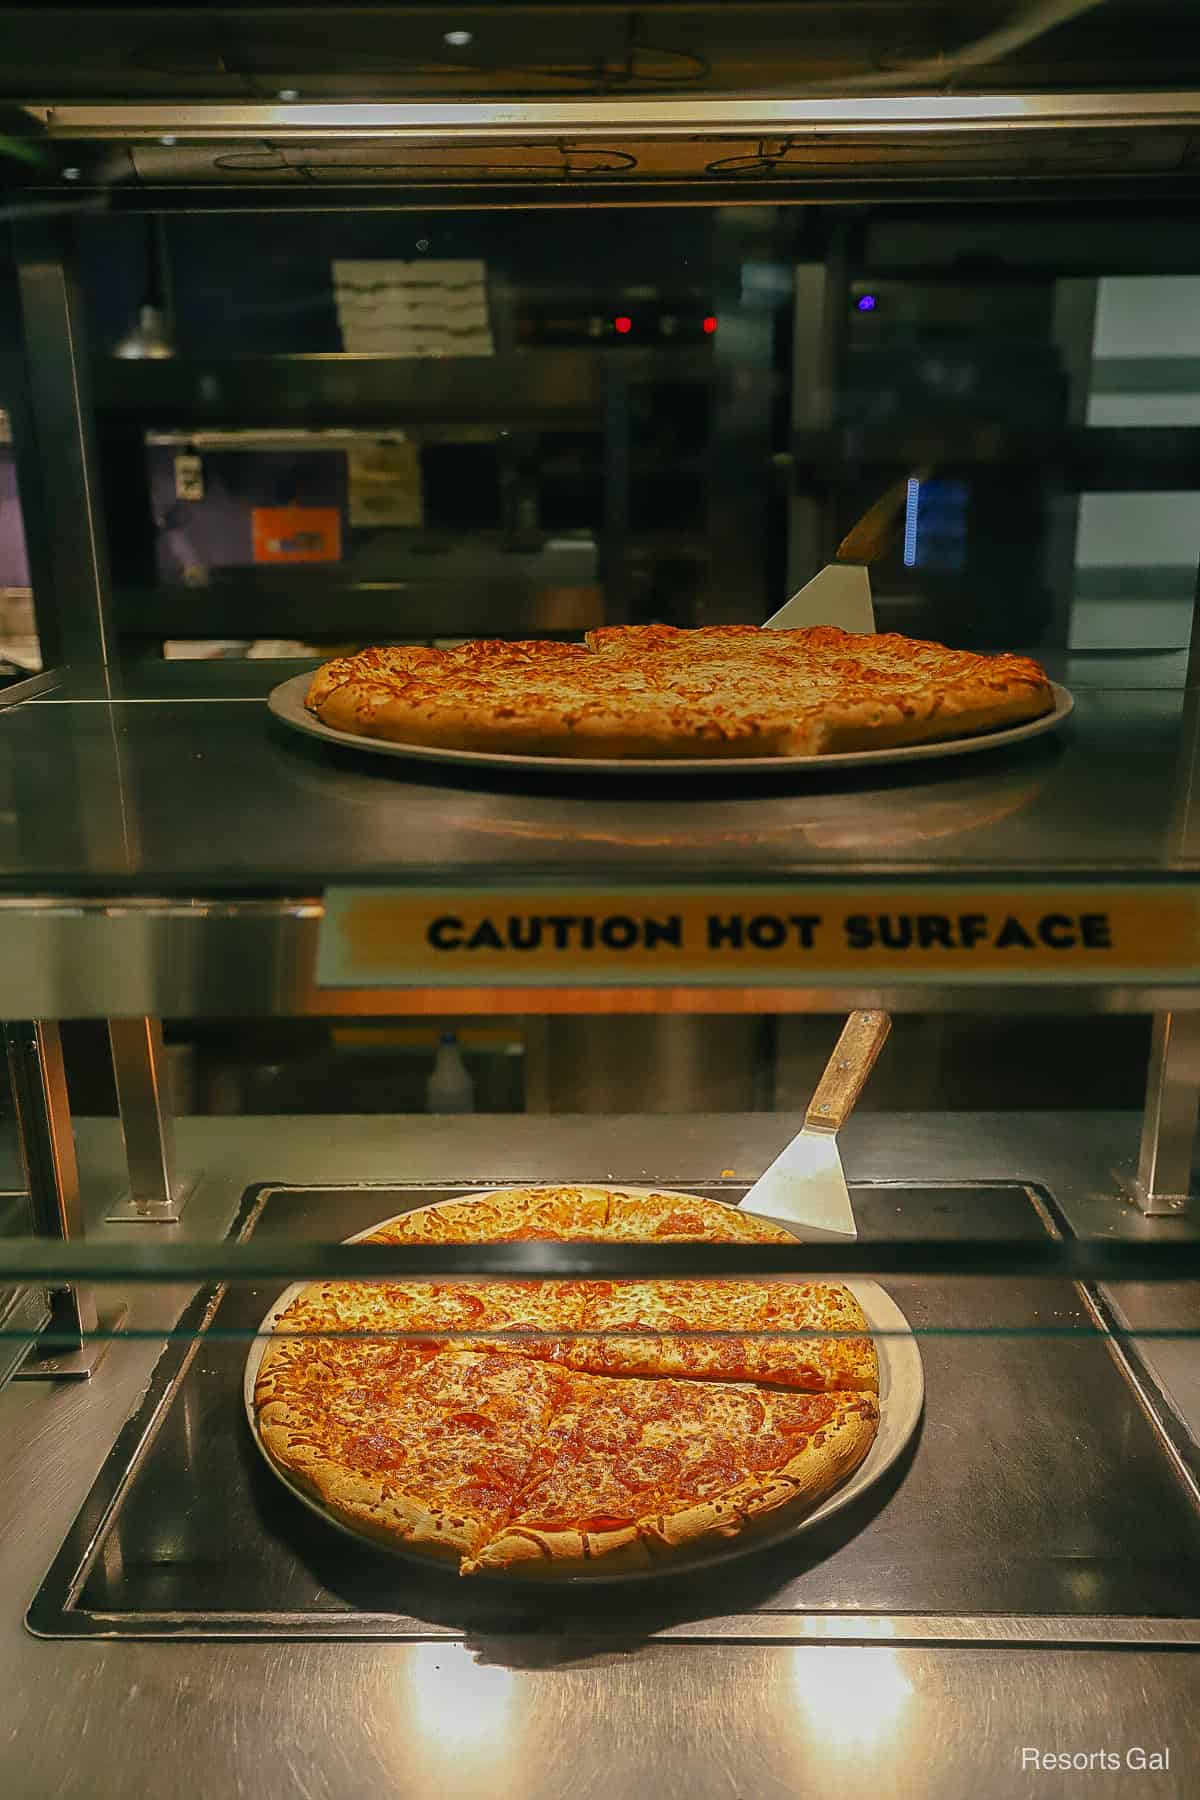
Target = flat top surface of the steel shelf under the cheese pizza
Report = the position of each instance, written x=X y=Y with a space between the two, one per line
x=186 y=786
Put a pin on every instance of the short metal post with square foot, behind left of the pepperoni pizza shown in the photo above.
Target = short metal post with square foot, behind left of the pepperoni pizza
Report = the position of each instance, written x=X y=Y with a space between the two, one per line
x=157 y=1192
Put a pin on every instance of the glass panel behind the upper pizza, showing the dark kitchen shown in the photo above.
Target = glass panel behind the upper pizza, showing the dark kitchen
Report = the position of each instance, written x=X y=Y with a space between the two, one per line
x=433 y=426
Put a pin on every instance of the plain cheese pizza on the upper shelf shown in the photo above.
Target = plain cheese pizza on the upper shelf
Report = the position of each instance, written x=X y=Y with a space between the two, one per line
x=661 y=692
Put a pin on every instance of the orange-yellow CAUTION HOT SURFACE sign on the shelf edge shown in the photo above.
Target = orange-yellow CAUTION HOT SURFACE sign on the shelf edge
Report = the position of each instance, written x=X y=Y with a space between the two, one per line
x=726 y=937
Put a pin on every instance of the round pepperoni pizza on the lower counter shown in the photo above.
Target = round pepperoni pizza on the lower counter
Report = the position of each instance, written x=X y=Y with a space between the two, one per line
x=568 y=1425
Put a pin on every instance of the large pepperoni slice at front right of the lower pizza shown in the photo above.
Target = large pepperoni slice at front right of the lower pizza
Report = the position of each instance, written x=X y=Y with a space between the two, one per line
x=634 y=1470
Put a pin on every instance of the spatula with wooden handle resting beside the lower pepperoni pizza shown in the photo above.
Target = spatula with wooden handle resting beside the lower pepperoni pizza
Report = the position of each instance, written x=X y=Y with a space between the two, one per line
x=807 y=1185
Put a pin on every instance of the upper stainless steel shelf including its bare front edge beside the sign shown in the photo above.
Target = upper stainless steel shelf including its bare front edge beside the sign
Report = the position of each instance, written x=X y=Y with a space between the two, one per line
x=166 y=849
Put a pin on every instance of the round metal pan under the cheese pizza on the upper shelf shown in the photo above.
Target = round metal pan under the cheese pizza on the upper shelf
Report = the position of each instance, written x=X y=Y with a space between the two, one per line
x=287 y=703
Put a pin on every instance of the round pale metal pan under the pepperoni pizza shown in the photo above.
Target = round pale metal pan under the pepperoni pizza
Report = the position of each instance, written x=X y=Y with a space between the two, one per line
x=902 y=1399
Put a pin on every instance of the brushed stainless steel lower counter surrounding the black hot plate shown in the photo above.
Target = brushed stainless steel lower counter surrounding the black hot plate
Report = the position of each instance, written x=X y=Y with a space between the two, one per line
x=560 y=1716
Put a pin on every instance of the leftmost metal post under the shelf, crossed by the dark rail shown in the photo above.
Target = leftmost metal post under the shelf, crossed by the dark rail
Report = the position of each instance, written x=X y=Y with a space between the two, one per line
x=69 y=1349
